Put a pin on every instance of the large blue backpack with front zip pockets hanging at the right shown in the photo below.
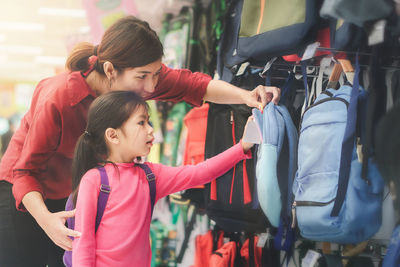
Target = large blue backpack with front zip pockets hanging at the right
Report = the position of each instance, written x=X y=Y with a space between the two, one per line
x=332 y=201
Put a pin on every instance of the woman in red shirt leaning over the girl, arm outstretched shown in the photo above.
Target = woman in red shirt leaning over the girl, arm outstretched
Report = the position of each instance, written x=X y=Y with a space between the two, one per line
x=35 y=170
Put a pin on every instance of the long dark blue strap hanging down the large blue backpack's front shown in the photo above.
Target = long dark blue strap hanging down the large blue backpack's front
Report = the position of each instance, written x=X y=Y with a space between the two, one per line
x=347 y=145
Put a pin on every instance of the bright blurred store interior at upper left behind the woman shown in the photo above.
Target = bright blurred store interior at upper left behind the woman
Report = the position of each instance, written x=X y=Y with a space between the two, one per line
x=36 y=36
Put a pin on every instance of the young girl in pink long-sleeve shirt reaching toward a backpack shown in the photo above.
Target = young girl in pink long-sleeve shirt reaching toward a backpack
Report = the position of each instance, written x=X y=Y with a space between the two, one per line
x=118 y=133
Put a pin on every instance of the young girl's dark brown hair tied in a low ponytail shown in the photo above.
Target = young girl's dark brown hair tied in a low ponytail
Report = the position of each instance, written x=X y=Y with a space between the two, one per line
x=109 y=110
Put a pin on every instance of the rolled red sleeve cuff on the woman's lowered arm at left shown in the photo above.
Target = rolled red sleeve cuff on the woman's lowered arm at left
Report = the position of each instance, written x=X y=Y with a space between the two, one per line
x=23 y=186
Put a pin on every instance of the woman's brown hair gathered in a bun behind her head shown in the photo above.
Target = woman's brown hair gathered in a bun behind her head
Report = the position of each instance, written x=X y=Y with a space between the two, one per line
x=78 y=58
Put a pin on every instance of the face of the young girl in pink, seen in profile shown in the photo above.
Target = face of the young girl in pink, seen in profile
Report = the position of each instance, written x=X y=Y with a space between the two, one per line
x=135 y=136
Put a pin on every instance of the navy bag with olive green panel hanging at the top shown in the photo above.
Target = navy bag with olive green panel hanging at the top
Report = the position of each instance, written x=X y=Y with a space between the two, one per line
x=260 y=30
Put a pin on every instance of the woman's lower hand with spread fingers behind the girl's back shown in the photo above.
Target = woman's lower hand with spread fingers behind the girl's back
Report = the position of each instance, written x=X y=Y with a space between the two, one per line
x=54 y=226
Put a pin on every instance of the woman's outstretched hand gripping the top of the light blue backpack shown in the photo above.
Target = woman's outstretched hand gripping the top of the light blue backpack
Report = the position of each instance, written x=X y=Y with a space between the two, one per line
x=262 y=95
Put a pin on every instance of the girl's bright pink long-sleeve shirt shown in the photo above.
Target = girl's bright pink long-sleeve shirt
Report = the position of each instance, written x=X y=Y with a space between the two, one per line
x=123 y=236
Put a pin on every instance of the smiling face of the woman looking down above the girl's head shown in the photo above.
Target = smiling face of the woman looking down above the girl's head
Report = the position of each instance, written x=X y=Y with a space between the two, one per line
x=141 y=80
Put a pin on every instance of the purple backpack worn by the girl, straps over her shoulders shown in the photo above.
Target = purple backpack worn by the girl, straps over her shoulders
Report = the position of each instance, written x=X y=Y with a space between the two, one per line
x=105 y=190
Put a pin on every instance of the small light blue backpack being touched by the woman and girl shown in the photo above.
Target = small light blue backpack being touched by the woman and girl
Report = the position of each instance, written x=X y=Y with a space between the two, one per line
x=276 y=160
